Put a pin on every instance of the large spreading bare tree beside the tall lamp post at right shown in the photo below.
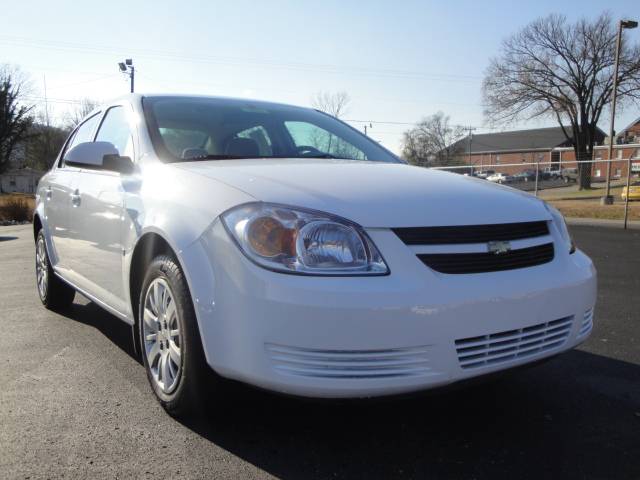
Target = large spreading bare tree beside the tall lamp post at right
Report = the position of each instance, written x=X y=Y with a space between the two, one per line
x=564 y=71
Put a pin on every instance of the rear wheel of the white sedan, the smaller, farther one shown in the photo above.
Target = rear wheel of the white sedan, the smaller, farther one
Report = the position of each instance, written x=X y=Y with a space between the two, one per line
x=54 y=293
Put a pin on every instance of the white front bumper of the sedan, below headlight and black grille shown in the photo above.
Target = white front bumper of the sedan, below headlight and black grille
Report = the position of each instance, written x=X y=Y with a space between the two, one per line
x=367 y=336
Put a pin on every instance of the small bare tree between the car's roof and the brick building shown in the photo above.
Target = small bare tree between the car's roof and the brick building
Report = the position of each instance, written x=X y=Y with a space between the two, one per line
x=432 y=141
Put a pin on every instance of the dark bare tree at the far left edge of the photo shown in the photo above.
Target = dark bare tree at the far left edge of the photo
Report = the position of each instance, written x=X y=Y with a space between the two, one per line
x=15 y=115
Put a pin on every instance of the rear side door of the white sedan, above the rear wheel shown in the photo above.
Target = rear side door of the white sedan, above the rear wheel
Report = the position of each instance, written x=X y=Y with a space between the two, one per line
x=58 y=198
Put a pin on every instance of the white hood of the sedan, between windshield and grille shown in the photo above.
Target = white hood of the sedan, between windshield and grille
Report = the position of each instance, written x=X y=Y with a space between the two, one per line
x=375 y=194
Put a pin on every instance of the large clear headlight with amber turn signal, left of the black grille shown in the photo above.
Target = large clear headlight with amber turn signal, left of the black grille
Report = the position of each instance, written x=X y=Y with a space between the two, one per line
x=301 y=241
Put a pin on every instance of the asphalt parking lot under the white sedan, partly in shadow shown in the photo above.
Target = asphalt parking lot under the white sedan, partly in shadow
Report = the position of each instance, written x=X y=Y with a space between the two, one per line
x=75 y=403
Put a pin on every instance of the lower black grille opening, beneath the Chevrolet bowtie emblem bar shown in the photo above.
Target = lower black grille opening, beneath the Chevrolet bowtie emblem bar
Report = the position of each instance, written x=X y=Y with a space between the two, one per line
x=457 y=263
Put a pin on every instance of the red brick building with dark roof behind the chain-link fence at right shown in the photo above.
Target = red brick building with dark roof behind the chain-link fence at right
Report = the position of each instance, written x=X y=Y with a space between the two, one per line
x=519 y=150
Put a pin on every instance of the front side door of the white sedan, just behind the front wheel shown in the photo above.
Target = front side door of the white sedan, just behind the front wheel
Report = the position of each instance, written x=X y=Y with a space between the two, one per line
x=100 y=218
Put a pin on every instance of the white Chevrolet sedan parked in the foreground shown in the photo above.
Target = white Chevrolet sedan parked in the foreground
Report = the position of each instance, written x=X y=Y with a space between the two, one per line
x=277 y=246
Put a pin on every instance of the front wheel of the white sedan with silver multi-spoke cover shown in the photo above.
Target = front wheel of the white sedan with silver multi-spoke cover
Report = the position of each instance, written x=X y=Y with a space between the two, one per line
x=174 y=360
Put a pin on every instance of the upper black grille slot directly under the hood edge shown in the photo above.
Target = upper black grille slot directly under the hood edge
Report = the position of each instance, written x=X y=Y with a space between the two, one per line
x=471 y=233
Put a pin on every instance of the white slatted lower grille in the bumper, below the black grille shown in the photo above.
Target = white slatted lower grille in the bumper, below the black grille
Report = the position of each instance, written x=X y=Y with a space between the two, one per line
x=510 y=345
